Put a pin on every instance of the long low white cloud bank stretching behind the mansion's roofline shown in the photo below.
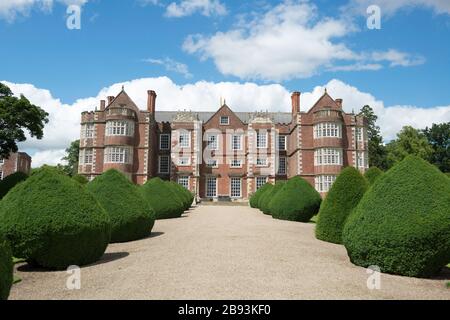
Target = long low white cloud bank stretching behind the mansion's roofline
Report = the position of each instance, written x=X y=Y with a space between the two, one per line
x=64 y=122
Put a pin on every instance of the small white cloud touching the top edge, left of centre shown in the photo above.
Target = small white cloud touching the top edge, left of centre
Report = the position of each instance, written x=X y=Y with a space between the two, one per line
x=189 y=7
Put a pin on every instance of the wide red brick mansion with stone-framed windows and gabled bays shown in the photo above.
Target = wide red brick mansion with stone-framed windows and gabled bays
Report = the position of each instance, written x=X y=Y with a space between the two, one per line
x=224 y=154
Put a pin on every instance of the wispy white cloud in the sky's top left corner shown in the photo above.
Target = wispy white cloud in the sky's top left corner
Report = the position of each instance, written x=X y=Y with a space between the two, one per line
x=11 y=9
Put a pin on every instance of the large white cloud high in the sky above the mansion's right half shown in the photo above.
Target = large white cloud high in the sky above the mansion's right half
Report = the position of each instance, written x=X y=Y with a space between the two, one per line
x=289 y=41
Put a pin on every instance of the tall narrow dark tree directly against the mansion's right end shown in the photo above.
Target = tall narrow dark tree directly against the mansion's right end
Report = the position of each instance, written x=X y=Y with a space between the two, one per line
x=377 y=150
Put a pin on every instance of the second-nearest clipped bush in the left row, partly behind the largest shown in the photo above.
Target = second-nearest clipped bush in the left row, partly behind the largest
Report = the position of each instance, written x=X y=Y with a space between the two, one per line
x=131 y=216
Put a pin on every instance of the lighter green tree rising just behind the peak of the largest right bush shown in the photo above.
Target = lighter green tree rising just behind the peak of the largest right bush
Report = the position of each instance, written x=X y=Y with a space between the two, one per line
x=409 y=141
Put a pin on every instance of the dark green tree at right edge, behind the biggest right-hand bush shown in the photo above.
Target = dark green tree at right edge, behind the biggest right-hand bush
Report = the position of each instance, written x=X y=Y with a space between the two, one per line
x=439 y=138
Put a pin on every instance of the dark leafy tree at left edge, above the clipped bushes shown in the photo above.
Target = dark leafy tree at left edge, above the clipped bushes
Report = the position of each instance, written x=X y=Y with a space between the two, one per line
x=16 y=115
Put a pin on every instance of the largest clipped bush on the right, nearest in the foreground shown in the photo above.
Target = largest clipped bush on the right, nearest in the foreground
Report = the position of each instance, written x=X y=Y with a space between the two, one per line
x=402 y=223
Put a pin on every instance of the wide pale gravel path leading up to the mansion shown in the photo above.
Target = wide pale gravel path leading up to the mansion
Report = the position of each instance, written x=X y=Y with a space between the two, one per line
x=221 y=252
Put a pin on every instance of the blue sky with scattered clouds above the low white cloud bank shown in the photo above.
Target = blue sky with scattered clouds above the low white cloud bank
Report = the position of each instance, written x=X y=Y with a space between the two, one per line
x=299 y=45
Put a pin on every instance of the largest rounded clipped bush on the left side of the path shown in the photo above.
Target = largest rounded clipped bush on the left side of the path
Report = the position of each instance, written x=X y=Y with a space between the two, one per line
x=52 y=221
